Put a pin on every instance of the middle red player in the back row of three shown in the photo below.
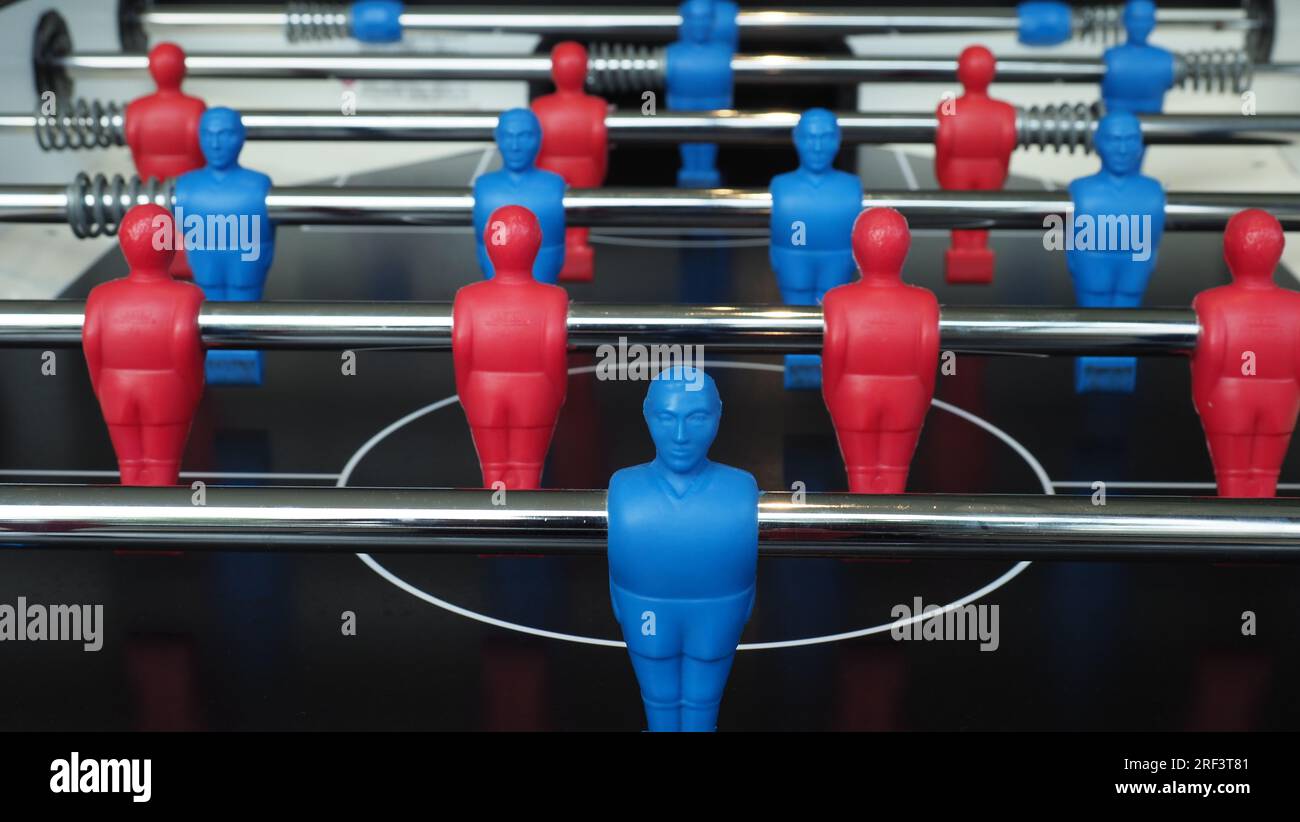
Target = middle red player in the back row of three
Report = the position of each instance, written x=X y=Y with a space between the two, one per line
x=574 y=145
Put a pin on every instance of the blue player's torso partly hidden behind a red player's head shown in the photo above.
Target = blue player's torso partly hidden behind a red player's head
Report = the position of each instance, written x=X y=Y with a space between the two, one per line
x=538 y=191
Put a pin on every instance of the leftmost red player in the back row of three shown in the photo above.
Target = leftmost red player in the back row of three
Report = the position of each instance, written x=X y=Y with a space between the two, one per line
x=163 y=129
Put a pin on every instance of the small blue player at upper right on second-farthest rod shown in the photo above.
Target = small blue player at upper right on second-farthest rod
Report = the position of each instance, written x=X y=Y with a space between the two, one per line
x=1138 y=75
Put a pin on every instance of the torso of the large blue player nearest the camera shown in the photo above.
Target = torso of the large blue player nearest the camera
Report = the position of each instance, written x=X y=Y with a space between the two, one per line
x=691 y=560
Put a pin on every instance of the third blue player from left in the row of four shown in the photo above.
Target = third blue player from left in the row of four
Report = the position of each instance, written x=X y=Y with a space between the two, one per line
x=813 y=214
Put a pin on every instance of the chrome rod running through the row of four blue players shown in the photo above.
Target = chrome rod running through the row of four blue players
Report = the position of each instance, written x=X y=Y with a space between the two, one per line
x=645 y=207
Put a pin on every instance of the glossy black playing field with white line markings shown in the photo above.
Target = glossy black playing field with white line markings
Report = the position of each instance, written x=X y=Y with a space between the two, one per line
x=224 y=641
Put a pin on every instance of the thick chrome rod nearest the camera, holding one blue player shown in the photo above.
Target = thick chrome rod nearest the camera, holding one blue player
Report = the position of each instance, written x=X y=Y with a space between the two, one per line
x=574 y=522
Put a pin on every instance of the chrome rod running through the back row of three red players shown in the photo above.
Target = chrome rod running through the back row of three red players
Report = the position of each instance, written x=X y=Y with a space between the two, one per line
x=1061 y=127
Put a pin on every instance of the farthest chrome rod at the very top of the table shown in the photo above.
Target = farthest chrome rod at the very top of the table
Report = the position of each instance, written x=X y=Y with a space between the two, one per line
x=664 y=23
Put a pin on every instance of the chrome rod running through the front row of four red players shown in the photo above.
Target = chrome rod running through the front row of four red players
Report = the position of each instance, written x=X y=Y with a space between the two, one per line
x=726 y=328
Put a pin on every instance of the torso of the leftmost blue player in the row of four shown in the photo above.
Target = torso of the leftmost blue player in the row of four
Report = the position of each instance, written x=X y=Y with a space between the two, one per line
x=226 y=274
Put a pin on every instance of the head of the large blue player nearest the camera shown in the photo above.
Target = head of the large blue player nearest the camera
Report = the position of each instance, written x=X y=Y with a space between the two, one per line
x=683 y=410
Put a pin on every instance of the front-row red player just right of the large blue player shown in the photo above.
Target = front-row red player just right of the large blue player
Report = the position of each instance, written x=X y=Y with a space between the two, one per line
x=879 y=358
